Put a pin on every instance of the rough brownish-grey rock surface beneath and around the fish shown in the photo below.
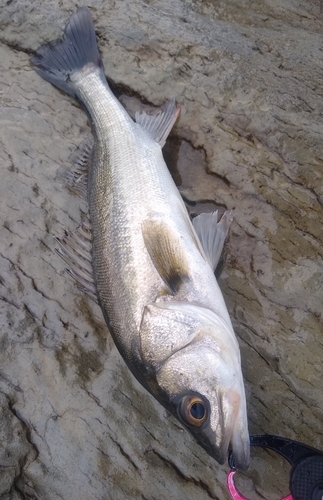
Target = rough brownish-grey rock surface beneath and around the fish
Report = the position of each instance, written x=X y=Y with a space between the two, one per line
x=74 y=424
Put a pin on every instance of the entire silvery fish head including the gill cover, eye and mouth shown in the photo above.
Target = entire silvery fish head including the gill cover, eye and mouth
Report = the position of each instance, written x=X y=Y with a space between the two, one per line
x=198 y=377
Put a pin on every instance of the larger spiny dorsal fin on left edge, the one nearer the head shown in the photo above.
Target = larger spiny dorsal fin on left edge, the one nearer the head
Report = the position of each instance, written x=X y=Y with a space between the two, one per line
x=75 y=249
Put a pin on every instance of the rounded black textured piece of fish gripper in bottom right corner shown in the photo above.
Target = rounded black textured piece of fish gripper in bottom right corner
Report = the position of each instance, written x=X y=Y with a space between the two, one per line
x=306 y=482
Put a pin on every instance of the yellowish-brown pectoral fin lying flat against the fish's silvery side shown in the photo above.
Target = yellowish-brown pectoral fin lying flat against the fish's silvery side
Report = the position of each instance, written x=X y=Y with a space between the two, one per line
x=166 y=252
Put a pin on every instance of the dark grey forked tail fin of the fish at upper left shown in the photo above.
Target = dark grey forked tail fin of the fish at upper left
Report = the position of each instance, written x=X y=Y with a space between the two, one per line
x=57 y=60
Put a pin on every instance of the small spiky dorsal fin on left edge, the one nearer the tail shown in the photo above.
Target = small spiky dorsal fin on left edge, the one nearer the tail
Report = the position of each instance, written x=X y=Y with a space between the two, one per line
x=75 y=176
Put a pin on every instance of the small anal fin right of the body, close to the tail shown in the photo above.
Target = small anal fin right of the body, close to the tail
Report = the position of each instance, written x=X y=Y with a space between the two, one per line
x=159 y=125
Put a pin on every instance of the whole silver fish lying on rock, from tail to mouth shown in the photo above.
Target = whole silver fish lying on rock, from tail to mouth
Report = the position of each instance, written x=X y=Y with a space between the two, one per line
x=141 y=257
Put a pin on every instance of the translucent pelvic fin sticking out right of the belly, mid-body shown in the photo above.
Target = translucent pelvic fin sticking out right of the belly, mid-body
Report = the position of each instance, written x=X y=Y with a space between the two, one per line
x=212 y=234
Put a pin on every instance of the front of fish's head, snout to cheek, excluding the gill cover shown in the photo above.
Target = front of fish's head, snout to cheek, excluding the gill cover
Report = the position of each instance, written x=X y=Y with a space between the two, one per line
x=203 y=392
